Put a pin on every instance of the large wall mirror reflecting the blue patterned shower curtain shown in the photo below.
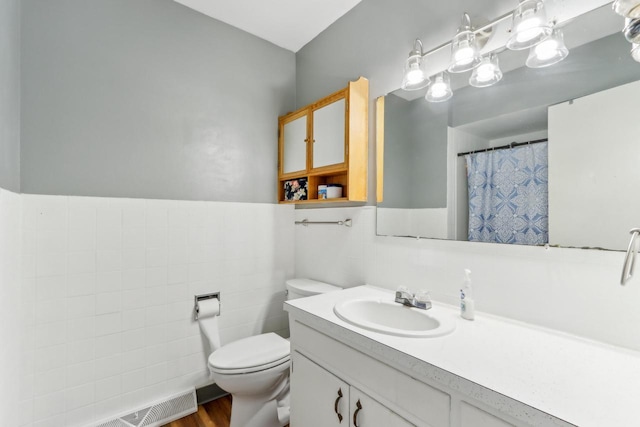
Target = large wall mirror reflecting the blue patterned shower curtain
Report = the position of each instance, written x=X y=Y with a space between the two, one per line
x=574 y=126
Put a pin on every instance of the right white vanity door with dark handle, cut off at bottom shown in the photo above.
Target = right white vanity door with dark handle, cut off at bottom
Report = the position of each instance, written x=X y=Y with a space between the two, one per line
x=366 y=412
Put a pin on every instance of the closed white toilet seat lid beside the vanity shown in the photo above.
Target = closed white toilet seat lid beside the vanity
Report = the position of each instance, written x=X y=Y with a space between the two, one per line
x=252 y=354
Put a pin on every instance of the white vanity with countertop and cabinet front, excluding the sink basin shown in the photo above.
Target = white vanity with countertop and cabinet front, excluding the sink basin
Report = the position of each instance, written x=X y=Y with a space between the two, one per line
x=487 y=373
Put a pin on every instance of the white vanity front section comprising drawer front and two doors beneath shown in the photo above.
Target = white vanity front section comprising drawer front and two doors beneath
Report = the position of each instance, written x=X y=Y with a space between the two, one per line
x=387 y=397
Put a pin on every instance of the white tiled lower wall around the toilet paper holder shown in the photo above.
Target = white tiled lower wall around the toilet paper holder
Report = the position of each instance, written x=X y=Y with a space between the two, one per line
x=108 y=289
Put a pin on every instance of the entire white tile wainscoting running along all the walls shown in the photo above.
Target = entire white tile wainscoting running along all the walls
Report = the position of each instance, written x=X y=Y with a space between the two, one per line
x=107 y=290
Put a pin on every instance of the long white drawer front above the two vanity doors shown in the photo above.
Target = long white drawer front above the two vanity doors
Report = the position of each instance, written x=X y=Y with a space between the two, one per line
x=412 y=399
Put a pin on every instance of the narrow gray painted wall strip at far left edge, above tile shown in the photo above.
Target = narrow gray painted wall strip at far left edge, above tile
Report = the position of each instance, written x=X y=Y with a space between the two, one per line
x=10 y=94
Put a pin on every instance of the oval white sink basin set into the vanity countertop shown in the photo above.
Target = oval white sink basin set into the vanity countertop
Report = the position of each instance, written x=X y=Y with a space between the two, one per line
x=391 y=318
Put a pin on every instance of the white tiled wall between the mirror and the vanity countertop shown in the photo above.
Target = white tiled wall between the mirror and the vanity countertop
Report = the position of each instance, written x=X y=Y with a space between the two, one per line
x=571 y=290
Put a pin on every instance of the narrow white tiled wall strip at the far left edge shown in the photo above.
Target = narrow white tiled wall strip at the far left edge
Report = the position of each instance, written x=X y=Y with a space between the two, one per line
x=11 y=326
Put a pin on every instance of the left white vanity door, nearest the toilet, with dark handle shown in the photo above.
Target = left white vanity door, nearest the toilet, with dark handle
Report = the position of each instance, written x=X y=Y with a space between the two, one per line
x=318 y=398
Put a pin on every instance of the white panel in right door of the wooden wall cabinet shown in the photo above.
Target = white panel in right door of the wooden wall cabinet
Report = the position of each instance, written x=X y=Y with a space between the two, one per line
x=329 y=134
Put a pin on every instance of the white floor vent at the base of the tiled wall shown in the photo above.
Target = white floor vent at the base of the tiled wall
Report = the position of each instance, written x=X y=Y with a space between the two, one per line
x=158 y=414
